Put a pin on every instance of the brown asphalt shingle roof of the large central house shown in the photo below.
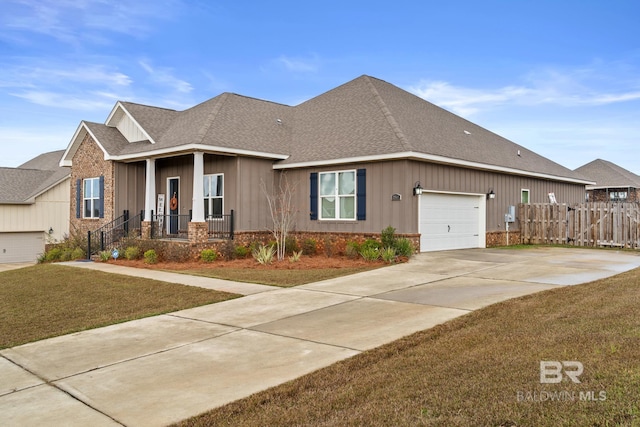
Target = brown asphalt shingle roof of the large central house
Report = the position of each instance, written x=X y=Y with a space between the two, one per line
x=362 y=118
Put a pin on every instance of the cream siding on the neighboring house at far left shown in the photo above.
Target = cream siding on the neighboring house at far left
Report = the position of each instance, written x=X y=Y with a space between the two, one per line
x=51 y=210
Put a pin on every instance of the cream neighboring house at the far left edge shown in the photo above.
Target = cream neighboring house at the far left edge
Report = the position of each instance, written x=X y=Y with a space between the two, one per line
x=34 y=207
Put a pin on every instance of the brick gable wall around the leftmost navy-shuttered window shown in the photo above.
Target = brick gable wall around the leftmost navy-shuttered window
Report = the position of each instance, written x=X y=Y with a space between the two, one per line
x=88 y=162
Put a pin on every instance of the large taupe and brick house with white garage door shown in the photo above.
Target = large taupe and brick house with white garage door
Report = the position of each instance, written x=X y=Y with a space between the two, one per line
x=357 y=154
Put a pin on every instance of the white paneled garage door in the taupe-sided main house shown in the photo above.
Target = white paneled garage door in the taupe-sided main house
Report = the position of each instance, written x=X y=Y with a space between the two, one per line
x=451 y=221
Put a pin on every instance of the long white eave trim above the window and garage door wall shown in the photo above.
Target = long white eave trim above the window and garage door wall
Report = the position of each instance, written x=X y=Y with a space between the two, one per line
x=411 y=155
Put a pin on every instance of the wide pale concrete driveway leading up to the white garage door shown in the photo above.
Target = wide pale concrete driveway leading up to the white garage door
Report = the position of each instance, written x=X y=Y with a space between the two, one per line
x=158 y=370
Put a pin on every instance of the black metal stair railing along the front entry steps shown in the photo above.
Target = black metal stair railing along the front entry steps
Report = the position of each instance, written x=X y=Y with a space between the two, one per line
x=108 y=235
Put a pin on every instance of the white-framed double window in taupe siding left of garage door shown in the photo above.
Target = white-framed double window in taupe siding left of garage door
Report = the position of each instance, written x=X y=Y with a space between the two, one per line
x=338 y=195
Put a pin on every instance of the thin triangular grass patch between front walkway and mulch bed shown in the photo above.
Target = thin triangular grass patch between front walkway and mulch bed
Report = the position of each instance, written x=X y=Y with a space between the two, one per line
x=283 y=278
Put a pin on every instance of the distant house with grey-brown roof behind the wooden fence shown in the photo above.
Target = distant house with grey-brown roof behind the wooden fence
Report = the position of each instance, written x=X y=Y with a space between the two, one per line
x=612 y=183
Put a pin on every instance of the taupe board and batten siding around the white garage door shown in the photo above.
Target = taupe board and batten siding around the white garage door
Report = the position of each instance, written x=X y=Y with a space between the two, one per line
x=384 y=179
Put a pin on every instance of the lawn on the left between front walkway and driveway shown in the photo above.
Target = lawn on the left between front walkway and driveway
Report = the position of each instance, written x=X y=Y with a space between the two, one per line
x=47 y=300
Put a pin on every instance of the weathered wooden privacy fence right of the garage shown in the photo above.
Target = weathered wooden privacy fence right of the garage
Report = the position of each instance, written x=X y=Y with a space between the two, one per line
x=586 y=224
